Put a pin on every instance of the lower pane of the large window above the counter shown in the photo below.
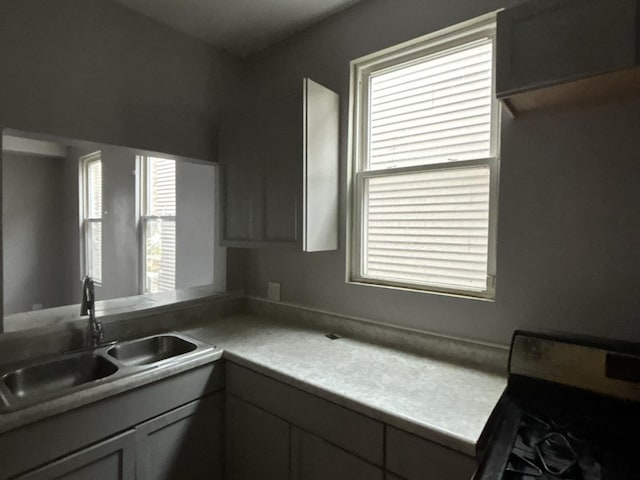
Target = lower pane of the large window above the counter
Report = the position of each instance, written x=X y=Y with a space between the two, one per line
x=428 y=228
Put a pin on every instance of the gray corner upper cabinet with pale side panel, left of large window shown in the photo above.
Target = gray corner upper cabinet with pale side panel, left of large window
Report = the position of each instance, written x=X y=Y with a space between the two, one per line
x=280 y=173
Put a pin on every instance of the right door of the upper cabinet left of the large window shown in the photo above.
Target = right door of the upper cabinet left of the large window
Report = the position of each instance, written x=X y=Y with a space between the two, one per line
x=281 y=156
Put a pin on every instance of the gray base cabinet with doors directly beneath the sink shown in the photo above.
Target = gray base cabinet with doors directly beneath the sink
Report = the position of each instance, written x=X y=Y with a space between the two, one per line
x=173 y=428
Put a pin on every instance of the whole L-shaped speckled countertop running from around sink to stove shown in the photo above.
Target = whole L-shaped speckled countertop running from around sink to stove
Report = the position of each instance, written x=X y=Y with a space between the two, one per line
x=422 y=392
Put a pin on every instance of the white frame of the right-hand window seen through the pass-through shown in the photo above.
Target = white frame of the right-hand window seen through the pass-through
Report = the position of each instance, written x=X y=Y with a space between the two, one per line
x=142 y=192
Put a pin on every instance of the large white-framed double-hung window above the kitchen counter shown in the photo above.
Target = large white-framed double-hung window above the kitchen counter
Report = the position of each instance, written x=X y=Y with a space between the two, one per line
x=425 y=163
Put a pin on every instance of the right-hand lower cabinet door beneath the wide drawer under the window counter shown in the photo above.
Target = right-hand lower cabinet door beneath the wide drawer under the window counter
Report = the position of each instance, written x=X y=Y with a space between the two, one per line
x=315 y=459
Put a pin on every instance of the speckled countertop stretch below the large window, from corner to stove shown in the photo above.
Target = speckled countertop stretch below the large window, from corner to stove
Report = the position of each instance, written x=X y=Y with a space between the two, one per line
x=441 y=401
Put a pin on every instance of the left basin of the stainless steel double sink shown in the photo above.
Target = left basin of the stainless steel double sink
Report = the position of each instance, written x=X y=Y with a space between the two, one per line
x=41 y=380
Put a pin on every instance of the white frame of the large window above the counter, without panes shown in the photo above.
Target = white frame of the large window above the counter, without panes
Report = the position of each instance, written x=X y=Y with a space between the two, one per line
x=361 y=71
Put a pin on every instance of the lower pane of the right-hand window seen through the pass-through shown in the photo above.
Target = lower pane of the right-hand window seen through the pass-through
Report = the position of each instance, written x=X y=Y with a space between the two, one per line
x=160 y=255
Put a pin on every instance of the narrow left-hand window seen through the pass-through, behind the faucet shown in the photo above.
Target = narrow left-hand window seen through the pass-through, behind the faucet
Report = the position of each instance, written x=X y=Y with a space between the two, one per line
x=91 y=206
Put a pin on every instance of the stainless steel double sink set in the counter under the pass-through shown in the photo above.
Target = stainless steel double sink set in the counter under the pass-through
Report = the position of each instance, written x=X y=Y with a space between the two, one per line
x=37 y=381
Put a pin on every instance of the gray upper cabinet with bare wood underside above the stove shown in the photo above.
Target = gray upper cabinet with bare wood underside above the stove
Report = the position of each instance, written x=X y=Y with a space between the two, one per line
x=552 y=52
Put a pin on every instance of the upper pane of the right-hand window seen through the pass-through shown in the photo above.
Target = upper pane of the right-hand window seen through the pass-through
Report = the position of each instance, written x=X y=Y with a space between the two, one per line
x=161 y=187
